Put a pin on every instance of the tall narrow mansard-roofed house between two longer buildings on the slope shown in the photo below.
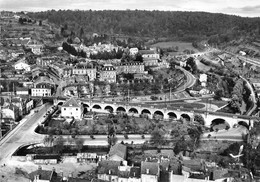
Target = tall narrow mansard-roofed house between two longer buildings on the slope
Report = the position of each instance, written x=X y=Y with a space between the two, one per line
x=108 y=73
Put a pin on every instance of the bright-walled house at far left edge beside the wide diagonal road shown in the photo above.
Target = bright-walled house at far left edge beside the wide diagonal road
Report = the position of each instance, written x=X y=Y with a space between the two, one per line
x=10 y=112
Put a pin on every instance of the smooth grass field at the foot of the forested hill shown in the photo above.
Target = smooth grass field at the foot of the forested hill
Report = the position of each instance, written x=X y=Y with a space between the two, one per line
x=182 y=45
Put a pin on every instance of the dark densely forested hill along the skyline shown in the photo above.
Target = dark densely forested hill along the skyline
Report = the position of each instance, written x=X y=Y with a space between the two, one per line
x=152 y=23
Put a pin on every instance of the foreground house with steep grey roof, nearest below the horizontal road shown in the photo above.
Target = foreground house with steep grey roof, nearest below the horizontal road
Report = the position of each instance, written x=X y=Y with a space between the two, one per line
x=118 y=152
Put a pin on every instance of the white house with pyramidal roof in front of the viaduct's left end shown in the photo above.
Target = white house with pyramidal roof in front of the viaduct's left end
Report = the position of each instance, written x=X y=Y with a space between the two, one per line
x=72 y=108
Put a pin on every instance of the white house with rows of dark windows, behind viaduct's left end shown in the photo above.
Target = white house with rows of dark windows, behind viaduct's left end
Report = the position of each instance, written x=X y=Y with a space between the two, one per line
x=42 y=90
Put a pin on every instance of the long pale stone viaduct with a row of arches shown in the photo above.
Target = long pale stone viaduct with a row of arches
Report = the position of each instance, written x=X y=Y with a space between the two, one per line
x=136 y=109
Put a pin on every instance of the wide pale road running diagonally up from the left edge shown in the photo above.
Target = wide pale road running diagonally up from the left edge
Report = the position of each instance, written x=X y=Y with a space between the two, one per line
x=22 y=134
